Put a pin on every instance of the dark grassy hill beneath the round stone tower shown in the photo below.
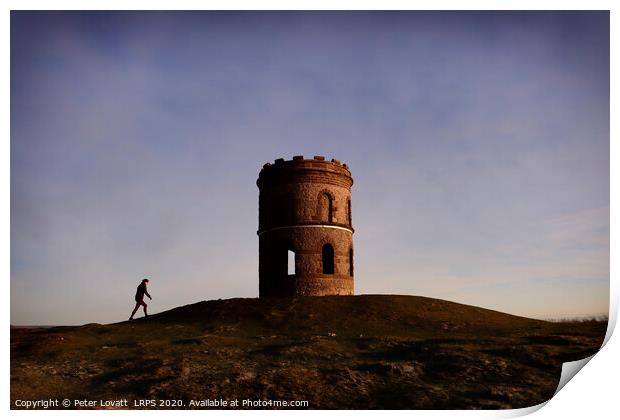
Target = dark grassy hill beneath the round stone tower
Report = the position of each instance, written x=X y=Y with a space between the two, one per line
x=369 y=351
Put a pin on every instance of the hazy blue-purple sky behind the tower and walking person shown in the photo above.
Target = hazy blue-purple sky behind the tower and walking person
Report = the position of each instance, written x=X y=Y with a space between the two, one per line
x=478 y=144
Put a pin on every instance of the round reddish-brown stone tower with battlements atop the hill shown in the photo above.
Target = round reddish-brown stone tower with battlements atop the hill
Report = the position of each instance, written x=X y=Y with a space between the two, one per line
x=305 y=233
